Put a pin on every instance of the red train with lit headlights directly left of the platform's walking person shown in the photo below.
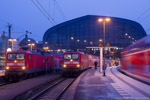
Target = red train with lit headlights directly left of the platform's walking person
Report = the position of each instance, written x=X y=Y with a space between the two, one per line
x=75 y=62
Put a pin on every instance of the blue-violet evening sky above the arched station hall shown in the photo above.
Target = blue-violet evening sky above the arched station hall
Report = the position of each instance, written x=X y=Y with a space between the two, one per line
x=24 y=15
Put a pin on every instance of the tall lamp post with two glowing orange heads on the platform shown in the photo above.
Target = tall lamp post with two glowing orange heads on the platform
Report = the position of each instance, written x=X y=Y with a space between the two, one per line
x=101 y=20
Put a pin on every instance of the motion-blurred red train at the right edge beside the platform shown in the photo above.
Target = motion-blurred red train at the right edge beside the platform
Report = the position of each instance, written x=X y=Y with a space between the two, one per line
x=136 y=58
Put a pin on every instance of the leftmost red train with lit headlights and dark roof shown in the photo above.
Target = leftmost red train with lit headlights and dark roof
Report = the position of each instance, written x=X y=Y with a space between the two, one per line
x=20 y=64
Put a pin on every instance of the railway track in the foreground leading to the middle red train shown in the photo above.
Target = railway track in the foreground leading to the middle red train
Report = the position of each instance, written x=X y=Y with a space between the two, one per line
x=59 y=86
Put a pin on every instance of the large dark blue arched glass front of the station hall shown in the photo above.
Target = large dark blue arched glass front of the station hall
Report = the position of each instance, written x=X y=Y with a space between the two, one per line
x=86 y=31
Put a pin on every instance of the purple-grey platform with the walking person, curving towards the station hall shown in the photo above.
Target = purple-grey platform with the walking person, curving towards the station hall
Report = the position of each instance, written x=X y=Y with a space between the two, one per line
x=92 y=85
